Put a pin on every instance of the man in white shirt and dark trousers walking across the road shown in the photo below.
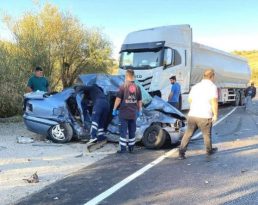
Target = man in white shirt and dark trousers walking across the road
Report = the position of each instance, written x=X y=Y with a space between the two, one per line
x=203 y=99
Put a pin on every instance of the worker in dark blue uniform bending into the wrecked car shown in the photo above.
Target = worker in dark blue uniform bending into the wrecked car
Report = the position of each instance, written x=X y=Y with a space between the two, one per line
x=99 y=113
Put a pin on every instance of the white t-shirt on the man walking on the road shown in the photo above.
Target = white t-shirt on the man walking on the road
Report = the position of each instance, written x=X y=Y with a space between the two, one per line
x=202 y=94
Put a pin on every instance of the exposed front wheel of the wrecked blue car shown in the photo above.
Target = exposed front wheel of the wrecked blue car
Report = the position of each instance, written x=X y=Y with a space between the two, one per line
x=154 y=137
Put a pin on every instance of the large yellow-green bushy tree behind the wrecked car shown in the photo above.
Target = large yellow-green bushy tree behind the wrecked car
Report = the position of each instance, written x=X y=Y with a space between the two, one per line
x=57 y=42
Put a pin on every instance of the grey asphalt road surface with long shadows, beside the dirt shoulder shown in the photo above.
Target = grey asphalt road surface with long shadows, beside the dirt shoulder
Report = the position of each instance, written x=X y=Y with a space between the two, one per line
x=228 y=177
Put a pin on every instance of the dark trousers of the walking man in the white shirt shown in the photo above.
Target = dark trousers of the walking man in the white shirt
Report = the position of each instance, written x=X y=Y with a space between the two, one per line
x=205 y=125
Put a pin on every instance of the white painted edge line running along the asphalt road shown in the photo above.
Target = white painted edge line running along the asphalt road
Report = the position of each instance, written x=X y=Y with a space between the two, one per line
x=141 y=171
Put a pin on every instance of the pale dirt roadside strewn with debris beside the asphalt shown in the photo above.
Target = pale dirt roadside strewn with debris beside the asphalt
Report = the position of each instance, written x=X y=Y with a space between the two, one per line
x=51 y=161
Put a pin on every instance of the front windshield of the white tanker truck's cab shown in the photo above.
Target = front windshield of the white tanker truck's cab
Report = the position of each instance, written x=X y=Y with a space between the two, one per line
x=140 y=59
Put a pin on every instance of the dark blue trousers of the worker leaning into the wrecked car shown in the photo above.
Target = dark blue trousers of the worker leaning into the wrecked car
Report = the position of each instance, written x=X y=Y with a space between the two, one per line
x=99 y=119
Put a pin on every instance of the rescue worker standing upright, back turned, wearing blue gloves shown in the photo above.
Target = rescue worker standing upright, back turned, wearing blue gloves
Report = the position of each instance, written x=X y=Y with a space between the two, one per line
x=129 y=97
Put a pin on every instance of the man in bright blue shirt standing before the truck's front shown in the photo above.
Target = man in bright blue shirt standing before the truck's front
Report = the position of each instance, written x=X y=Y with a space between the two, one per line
x=174 y=96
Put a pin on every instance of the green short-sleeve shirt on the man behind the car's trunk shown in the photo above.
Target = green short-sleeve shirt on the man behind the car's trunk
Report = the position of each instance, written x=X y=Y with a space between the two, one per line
x=38 y=83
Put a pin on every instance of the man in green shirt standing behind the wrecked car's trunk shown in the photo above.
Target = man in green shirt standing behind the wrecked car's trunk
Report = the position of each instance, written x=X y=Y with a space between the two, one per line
x=38 y=82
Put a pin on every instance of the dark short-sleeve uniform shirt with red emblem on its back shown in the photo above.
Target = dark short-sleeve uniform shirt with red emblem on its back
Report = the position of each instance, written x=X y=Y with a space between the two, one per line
x=130 y=94
